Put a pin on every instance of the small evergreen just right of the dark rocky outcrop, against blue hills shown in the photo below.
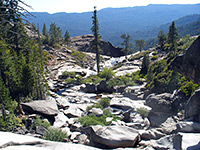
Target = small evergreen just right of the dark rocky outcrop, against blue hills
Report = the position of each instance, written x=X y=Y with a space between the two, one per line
x=126 y=44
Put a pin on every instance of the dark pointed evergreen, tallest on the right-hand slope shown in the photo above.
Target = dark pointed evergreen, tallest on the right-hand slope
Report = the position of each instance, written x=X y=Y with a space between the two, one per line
x=172 y=34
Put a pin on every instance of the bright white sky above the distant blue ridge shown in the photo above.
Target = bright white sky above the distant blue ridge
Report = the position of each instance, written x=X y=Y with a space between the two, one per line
x=78 y=6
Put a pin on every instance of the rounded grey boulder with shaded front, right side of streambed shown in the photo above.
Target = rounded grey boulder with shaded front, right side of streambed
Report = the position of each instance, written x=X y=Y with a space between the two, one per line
x=159 y=103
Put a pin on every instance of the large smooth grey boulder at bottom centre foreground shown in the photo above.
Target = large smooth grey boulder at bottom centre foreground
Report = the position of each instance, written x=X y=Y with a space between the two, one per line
x=113 y=136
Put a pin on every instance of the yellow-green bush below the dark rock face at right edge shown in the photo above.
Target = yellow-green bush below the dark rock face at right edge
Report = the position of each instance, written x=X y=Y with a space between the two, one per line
x=187 y=87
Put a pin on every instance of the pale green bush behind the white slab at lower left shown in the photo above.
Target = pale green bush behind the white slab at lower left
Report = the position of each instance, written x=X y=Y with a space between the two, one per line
x=55 y=135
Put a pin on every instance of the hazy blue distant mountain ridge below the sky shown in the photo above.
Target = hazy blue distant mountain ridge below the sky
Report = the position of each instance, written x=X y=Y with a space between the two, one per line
x=116 y=21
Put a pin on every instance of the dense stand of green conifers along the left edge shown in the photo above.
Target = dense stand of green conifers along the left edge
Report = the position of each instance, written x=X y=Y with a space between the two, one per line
x=21 y=65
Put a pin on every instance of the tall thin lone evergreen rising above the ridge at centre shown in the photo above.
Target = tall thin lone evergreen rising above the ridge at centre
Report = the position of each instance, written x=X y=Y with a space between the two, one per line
x=96 y=41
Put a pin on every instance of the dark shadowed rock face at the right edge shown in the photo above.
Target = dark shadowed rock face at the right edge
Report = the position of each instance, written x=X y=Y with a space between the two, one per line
x=188 y=63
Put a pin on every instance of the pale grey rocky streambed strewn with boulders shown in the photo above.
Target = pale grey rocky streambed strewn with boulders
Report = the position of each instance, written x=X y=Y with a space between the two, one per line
x=146 y=120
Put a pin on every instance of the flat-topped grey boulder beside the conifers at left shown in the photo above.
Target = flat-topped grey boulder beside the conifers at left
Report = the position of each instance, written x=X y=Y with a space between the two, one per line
x=46 y=107
